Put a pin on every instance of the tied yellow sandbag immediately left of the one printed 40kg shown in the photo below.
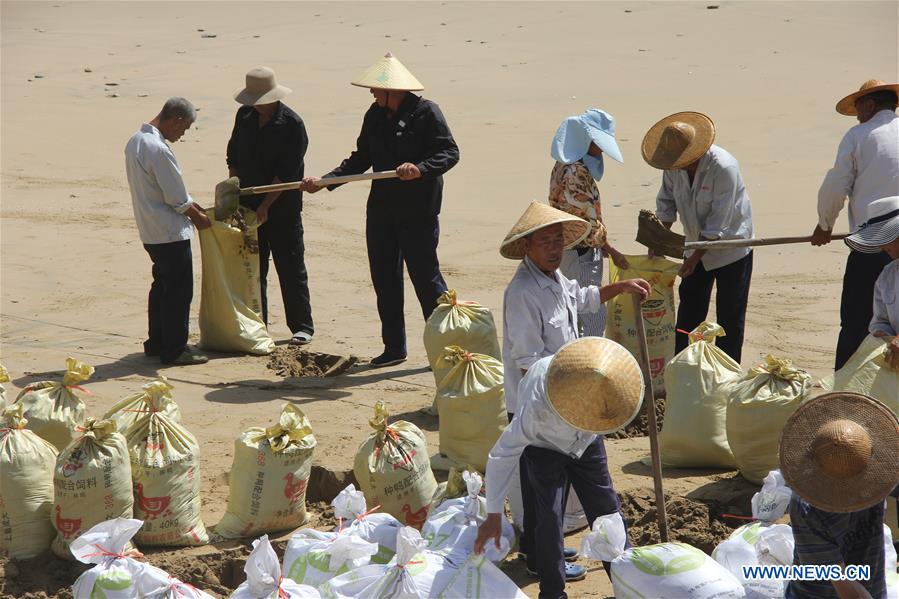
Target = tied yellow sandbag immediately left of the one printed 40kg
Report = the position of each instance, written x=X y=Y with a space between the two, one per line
x=92 y=483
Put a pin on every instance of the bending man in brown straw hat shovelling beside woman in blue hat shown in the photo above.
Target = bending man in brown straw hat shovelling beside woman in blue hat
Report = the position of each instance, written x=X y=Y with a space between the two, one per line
x=702 y=184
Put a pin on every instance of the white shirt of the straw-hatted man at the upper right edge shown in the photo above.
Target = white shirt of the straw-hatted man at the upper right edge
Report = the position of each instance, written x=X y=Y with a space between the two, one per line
x=866 y=169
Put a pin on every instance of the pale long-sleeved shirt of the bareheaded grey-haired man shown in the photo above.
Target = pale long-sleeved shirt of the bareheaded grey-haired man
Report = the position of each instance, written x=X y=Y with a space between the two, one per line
x=158 y=194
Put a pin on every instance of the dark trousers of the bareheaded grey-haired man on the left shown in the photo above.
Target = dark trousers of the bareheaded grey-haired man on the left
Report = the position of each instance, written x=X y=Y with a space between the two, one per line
x=168 y=304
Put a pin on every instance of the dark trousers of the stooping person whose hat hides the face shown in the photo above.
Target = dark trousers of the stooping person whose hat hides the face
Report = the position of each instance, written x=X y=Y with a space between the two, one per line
x=548 y=474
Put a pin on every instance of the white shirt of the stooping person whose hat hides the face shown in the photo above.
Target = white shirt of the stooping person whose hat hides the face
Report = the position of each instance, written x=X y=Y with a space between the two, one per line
x=535 y=424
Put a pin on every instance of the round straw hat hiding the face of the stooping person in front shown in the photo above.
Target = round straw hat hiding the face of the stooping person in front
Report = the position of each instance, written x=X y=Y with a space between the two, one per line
x=595 y=385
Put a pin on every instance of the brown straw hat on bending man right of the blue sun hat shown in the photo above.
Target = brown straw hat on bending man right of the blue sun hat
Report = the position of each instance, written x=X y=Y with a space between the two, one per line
x=678 y=140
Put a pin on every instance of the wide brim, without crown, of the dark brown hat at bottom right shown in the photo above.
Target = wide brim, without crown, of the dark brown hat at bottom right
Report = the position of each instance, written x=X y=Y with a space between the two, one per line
x=802 y=473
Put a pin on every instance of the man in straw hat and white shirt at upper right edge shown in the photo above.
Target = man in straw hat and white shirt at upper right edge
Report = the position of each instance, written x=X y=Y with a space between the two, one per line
x=866 y=169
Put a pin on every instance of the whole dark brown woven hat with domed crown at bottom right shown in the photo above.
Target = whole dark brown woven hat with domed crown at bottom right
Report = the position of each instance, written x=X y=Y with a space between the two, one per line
x=840 y=452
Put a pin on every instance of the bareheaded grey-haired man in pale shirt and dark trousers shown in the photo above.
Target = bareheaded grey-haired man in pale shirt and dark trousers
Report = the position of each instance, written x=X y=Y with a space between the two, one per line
x=165 y=215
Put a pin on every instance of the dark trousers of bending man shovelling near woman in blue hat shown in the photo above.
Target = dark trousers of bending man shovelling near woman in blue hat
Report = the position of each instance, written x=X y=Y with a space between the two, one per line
x=731 y=298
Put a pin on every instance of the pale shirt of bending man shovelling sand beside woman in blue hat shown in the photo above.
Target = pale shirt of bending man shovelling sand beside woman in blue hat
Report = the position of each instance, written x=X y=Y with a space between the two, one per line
x=715 y=206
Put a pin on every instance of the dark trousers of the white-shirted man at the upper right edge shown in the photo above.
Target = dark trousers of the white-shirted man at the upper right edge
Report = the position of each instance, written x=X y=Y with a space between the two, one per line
x=857 y=302
